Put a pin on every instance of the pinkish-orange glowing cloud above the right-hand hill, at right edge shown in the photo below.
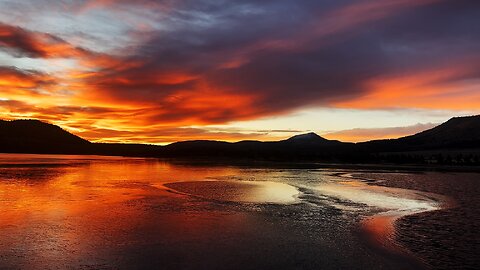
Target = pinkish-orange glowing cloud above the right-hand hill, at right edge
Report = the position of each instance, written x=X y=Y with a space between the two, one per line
x=440 y=88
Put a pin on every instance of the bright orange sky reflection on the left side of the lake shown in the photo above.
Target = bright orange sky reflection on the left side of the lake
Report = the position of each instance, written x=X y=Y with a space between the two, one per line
x=58 y=212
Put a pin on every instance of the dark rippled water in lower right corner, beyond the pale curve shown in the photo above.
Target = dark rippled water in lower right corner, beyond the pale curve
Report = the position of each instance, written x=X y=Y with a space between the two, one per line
x=446 y=238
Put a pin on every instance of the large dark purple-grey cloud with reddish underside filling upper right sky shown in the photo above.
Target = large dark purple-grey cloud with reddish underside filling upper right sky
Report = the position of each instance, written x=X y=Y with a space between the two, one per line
x=287 y=55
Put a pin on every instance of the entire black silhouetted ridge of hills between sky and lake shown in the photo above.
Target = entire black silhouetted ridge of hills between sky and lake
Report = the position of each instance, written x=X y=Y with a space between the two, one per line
x=458 y=133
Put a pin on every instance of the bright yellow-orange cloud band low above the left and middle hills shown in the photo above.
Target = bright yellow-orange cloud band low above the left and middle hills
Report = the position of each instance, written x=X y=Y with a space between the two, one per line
x=103 y=124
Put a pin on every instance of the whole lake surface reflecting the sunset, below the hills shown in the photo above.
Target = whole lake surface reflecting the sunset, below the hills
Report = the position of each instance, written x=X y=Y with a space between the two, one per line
x=70 y=212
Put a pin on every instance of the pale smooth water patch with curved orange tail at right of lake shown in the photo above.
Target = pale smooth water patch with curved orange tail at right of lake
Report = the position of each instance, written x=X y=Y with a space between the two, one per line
x=388 y=204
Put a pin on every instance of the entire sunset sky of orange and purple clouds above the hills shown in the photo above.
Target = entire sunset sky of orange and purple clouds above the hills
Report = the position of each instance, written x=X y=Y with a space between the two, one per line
x=163 y=71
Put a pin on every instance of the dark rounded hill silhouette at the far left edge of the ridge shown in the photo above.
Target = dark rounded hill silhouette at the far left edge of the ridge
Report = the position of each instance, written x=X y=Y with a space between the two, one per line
x=33 y=136
